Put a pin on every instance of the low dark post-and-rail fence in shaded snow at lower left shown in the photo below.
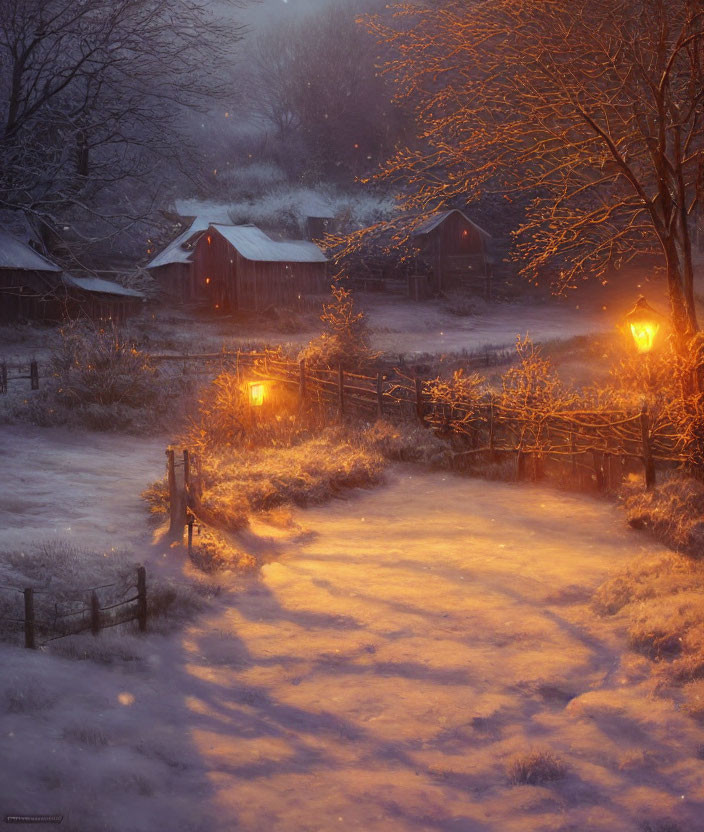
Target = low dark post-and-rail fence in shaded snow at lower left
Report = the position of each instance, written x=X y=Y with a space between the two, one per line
x=43 y=620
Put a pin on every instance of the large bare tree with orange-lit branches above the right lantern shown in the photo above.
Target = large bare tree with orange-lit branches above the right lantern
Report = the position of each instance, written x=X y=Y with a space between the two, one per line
x=592 y=108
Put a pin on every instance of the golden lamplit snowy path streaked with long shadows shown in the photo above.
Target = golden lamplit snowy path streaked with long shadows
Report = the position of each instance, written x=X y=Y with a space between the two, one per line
x=380 y=677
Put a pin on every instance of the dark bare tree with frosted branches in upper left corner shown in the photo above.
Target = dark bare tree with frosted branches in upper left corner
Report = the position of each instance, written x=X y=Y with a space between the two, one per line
x=91 y=92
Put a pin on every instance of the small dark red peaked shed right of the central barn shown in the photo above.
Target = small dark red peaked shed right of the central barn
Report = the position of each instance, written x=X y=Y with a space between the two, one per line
x=456 y=249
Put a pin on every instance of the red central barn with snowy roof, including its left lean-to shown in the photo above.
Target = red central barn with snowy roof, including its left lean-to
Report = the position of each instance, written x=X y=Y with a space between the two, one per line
x=239 y=267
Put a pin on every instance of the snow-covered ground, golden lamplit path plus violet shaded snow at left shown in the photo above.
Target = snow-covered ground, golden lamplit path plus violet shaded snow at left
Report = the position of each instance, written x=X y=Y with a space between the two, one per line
x=377 y=675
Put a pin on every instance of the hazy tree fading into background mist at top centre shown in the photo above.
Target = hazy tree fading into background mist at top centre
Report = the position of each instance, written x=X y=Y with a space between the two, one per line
x=317 y=80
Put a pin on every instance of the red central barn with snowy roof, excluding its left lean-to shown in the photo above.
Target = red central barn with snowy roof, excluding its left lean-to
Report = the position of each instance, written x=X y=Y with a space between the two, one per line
x=239 y=267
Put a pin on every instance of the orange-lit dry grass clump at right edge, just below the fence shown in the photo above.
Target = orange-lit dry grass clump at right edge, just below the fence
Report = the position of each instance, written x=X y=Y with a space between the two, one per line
x=673 y=512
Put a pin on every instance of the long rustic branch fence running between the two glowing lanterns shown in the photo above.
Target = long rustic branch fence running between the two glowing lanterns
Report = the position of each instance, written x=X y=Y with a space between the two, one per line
x=595 y=441
